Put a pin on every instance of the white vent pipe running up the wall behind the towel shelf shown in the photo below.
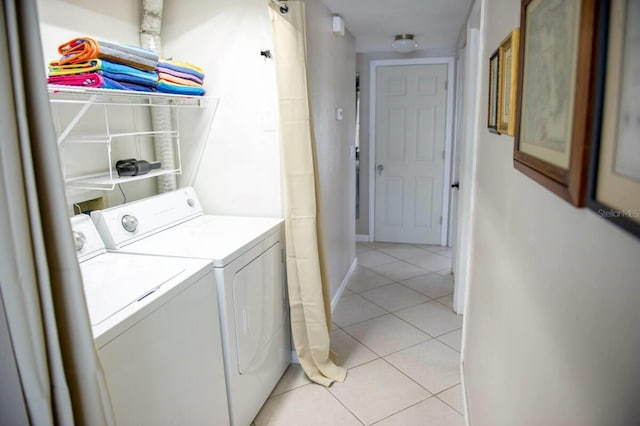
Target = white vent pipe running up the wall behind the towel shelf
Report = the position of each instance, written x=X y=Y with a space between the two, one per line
x=160 y=116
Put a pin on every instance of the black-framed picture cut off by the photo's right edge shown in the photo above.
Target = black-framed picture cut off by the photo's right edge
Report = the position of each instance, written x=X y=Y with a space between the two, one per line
x=614 y=177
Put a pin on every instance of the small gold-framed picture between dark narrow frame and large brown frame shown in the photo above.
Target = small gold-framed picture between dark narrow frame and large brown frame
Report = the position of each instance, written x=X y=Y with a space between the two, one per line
x=508 y=82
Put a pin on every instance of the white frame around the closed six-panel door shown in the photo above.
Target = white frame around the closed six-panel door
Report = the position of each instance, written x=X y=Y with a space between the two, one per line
x=446 y=181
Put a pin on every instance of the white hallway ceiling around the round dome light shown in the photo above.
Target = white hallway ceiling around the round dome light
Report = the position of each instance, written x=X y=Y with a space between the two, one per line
x=374 y=23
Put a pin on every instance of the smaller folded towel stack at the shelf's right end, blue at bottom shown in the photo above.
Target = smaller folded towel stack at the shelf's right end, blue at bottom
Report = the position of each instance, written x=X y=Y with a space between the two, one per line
x=179 y=78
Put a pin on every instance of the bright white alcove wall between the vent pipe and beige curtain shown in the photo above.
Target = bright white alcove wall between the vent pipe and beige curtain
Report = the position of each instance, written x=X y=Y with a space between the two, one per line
x=240 y=166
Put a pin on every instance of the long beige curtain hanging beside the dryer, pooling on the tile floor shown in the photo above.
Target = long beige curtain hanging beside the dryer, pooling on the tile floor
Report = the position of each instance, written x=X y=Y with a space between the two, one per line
x=308 y=290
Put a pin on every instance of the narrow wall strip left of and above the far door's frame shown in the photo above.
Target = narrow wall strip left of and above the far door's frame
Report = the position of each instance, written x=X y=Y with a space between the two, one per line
x=363 y=61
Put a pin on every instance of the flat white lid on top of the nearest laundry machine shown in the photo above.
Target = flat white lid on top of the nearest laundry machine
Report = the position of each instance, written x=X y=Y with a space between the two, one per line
x=112 y=282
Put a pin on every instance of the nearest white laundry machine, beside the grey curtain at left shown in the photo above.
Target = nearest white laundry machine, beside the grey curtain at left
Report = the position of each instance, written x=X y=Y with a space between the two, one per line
x=155 y=324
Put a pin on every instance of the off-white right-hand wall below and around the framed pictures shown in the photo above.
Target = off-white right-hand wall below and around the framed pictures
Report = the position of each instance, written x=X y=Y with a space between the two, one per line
x=552 y=332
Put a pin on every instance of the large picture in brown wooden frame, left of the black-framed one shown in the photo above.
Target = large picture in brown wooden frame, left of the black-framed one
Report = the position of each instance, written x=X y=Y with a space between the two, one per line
x=555 y=94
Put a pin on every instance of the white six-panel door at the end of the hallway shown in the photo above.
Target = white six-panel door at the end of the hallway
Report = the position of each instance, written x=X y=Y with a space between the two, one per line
x=410 y=129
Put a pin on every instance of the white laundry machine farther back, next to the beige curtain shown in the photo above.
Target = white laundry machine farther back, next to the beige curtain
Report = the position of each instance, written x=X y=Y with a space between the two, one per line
x=248 y=258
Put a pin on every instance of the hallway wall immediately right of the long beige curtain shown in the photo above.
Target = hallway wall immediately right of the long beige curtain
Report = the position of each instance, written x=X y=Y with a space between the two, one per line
x=332 y=83
